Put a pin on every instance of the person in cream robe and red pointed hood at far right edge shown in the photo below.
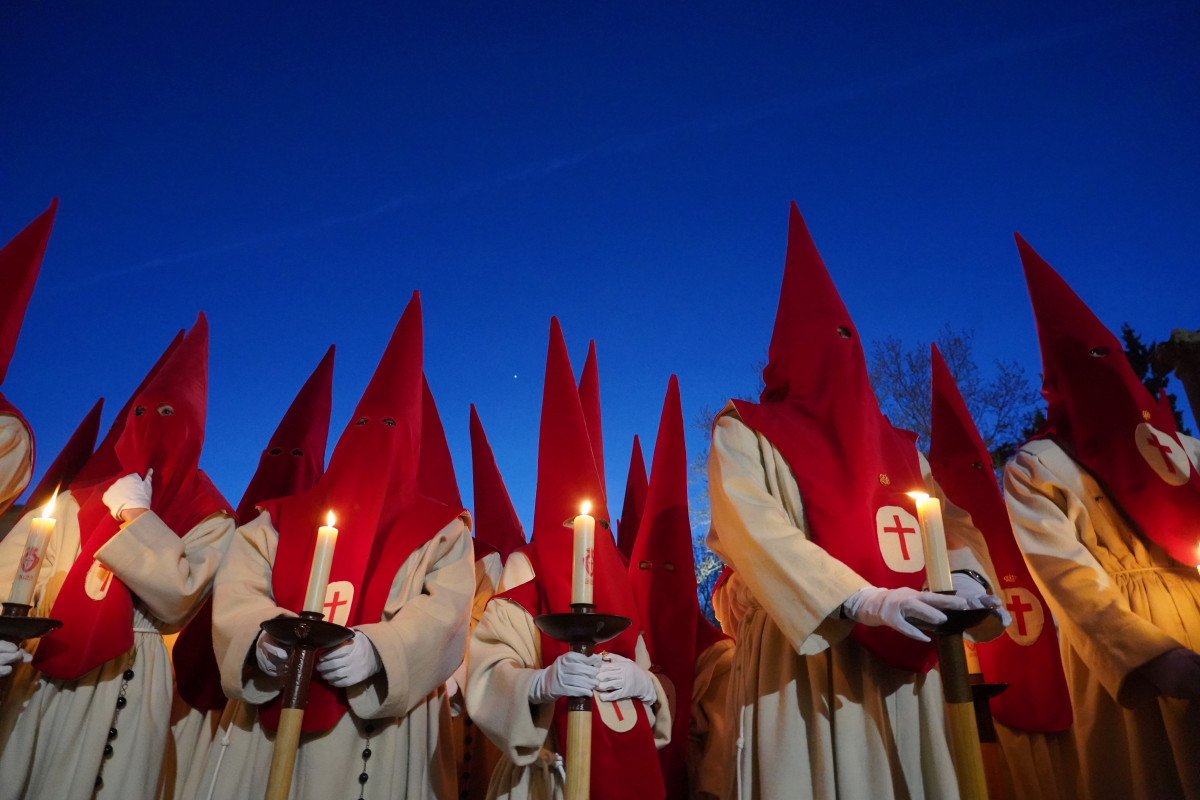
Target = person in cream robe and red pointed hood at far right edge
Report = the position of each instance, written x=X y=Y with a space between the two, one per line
x=1106 y=506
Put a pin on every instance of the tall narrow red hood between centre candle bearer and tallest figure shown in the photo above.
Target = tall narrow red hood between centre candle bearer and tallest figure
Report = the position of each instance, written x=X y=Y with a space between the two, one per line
x=663 y=575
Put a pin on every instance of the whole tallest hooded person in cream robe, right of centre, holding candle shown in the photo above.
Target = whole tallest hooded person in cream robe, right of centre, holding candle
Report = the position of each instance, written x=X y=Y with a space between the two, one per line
x=811 y=513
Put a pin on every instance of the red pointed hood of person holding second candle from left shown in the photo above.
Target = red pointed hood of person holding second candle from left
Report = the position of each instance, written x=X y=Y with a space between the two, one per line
x=371 y=486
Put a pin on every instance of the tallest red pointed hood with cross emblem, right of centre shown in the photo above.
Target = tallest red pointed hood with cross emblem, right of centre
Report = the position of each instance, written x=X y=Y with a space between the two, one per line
x=853 y=468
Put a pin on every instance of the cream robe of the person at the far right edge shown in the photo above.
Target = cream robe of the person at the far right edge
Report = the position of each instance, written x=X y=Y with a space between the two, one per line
x=1120 y=601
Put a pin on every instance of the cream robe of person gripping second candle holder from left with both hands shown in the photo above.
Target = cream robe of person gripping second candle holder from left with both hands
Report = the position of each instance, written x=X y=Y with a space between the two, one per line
x=401 y=714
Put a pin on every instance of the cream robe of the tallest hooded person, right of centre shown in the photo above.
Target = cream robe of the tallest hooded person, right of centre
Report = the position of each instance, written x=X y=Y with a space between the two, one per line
x=817 y=715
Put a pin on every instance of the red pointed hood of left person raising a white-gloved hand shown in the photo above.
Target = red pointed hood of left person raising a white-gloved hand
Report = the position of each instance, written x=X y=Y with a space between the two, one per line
x=165 y=432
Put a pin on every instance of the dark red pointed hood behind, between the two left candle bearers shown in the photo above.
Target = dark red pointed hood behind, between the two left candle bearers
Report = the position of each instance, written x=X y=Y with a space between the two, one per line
x=296 y=454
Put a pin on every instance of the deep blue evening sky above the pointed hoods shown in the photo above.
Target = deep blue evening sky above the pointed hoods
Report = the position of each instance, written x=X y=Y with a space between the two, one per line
x=297 y=170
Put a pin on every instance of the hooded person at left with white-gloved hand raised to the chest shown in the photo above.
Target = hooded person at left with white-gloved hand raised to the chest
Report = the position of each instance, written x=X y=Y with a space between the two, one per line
x=137 y=542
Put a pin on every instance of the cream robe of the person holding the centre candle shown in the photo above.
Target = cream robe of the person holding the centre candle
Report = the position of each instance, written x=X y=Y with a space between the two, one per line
x=505 y=657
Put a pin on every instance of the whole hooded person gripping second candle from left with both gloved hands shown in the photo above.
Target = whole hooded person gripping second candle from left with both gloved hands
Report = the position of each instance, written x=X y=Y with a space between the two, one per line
x=377 y=718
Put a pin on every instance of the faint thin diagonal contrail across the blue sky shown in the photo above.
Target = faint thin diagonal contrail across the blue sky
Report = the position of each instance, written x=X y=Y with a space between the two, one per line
x=637 y=143
